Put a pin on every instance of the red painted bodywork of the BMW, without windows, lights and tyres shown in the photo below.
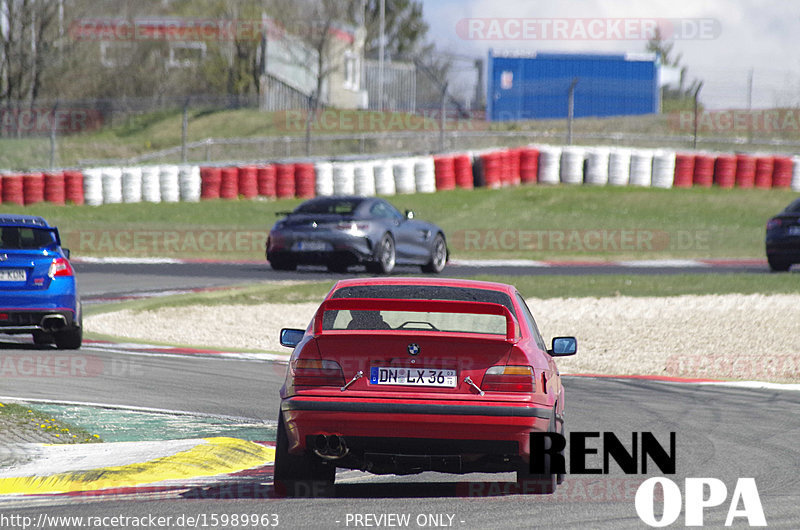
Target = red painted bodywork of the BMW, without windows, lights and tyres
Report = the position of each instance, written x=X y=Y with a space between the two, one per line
x=398 y=419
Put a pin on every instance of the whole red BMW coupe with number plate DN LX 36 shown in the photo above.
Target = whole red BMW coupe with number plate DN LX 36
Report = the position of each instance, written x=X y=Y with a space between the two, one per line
x=406 y=375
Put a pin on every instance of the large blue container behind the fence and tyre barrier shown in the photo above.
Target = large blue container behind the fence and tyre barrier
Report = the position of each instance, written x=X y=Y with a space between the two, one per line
x=536 y=86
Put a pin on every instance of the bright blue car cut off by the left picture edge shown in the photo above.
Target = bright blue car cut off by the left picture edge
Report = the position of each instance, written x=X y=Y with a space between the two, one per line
x=38 y=291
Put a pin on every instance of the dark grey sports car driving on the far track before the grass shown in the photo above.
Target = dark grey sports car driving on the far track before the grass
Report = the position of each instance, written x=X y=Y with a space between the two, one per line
x=349 y=230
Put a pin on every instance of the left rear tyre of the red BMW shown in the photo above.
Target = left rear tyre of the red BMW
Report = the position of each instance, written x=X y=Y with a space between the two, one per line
x=299 y=475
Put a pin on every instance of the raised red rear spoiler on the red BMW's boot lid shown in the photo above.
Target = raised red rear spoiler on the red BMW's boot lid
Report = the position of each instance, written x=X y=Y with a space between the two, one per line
x=422 y=306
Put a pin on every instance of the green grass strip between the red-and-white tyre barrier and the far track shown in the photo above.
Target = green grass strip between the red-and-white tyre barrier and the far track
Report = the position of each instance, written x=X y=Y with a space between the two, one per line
x=530 y=222
